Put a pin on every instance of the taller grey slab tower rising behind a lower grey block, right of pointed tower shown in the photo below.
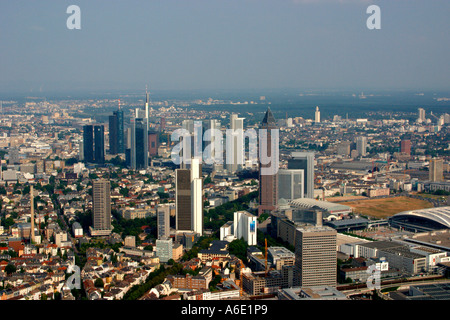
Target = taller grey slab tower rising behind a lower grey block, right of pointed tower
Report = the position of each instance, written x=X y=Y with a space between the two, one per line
x=304 y=161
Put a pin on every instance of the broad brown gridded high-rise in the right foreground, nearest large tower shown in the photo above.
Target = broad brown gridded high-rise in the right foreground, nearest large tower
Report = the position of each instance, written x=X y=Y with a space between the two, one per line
x=315 y=256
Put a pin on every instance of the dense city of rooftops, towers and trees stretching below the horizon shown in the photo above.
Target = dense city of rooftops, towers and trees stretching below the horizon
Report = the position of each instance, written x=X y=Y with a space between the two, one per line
x=92 y=206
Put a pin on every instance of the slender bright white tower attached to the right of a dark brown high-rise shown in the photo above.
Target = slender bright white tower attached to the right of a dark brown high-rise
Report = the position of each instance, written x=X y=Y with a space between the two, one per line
x=196 y=197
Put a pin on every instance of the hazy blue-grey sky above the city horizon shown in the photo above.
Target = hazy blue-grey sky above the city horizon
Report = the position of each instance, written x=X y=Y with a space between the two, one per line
x=227 y=44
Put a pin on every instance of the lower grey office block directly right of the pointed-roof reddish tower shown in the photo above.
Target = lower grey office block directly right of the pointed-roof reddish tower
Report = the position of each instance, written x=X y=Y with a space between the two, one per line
x=290 y=184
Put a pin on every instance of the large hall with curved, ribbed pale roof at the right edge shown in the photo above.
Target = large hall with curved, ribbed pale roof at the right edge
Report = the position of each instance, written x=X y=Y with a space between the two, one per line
x=432 y=218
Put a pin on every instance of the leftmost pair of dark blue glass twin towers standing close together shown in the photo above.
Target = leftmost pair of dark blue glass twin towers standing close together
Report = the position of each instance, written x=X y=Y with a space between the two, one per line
x=94 y=143
